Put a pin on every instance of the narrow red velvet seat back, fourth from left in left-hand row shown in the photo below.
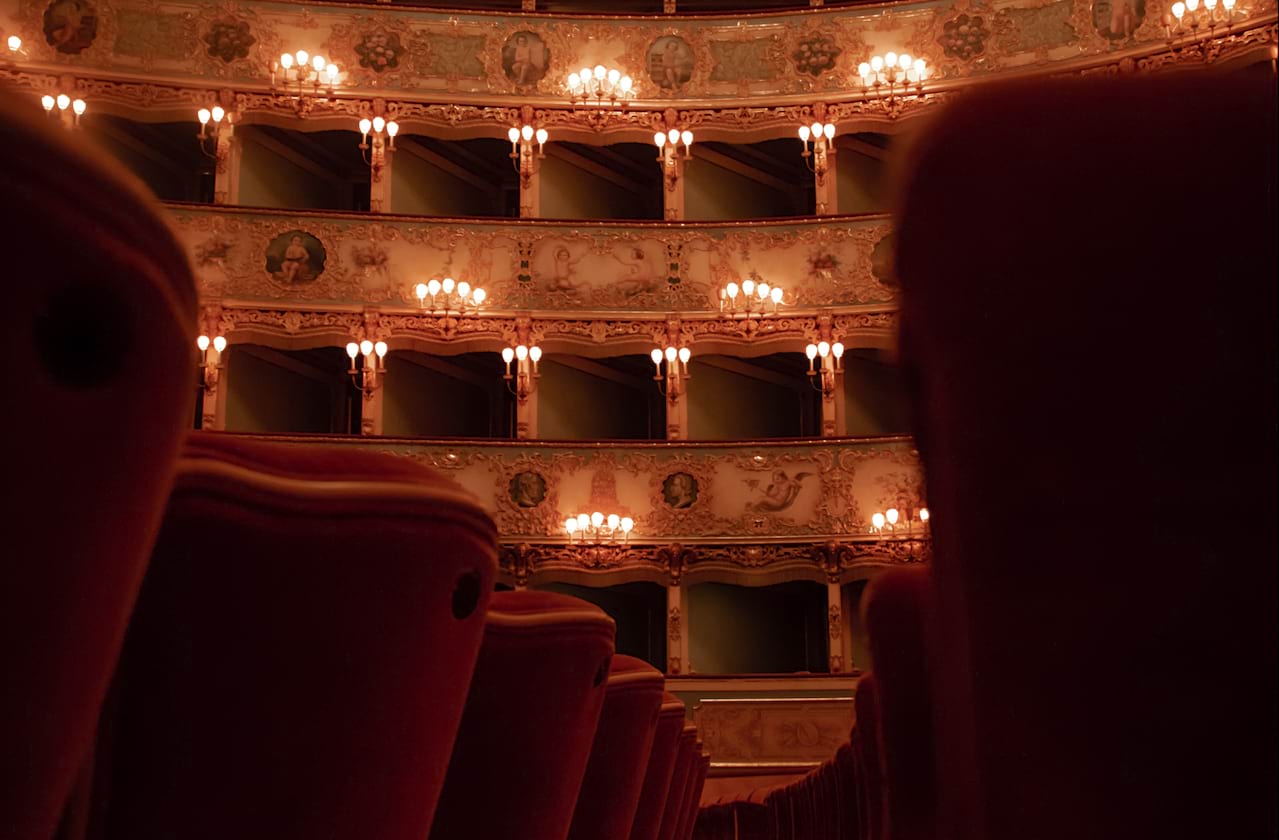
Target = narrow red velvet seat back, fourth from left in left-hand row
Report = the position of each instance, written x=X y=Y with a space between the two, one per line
x=620 y=755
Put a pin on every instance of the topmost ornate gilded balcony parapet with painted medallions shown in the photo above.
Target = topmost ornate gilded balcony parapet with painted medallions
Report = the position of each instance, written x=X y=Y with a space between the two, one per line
x=467 y=74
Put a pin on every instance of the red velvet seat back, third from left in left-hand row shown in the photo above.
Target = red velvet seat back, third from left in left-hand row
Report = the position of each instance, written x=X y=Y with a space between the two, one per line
x=530 y=720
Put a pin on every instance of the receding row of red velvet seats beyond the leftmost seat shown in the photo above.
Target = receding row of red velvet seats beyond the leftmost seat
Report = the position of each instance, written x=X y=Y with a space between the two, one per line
x=347 y=672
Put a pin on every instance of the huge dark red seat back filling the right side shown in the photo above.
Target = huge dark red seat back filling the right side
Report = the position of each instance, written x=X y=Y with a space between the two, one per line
x=1089 y=323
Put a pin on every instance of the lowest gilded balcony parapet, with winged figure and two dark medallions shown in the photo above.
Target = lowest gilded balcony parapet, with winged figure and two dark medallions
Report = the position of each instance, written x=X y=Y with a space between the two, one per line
x=757 y=512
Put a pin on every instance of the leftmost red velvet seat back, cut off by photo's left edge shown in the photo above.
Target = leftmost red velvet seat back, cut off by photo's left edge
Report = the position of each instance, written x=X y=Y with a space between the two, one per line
x=99 y=352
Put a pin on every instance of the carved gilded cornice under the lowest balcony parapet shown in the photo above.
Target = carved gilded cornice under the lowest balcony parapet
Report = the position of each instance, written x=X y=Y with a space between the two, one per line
x=675 y=564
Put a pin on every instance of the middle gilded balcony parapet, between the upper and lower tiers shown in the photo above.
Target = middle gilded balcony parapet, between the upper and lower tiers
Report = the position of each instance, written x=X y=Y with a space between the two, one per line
x=575 y=283
